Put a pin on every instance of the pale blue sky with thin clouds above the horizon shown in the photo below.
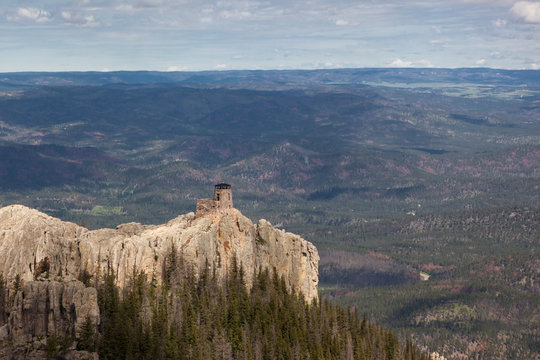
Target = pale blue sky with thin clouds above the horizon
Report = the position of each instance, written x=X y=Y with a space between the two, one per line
x=178 y=35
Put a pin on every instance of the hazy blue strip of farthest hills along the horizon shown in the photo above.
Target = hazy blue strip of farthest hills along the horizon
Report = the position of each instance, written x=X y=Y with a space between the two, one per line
x=511 y=80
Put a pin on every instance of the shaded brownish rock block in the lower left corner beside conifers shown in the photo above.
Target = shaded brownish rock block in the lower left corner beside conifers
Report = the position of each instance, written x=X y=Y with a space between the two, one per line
x=44 y=308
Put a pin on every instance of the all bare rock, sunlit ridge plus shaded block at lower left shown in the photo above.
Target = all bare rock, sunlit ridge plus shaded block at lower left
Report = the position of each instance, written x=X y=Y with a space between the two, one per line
x=47 y=255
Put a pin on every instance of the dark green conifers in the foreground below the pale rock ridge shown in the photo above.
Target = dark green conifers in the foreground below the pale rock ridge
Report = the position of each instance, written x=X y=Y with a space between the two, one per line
x=197 y=317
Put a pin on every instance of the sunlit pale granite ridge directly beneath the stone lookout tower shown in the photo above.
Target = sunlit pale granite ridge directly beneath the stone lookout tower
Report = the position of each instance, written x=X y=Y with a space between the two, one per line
x=33 y=244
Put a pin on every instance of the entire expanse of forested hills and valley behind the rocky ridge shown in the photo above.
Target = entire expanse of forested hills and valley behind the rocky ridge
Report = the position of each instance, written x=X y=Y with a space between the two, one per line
x=408 y=170
